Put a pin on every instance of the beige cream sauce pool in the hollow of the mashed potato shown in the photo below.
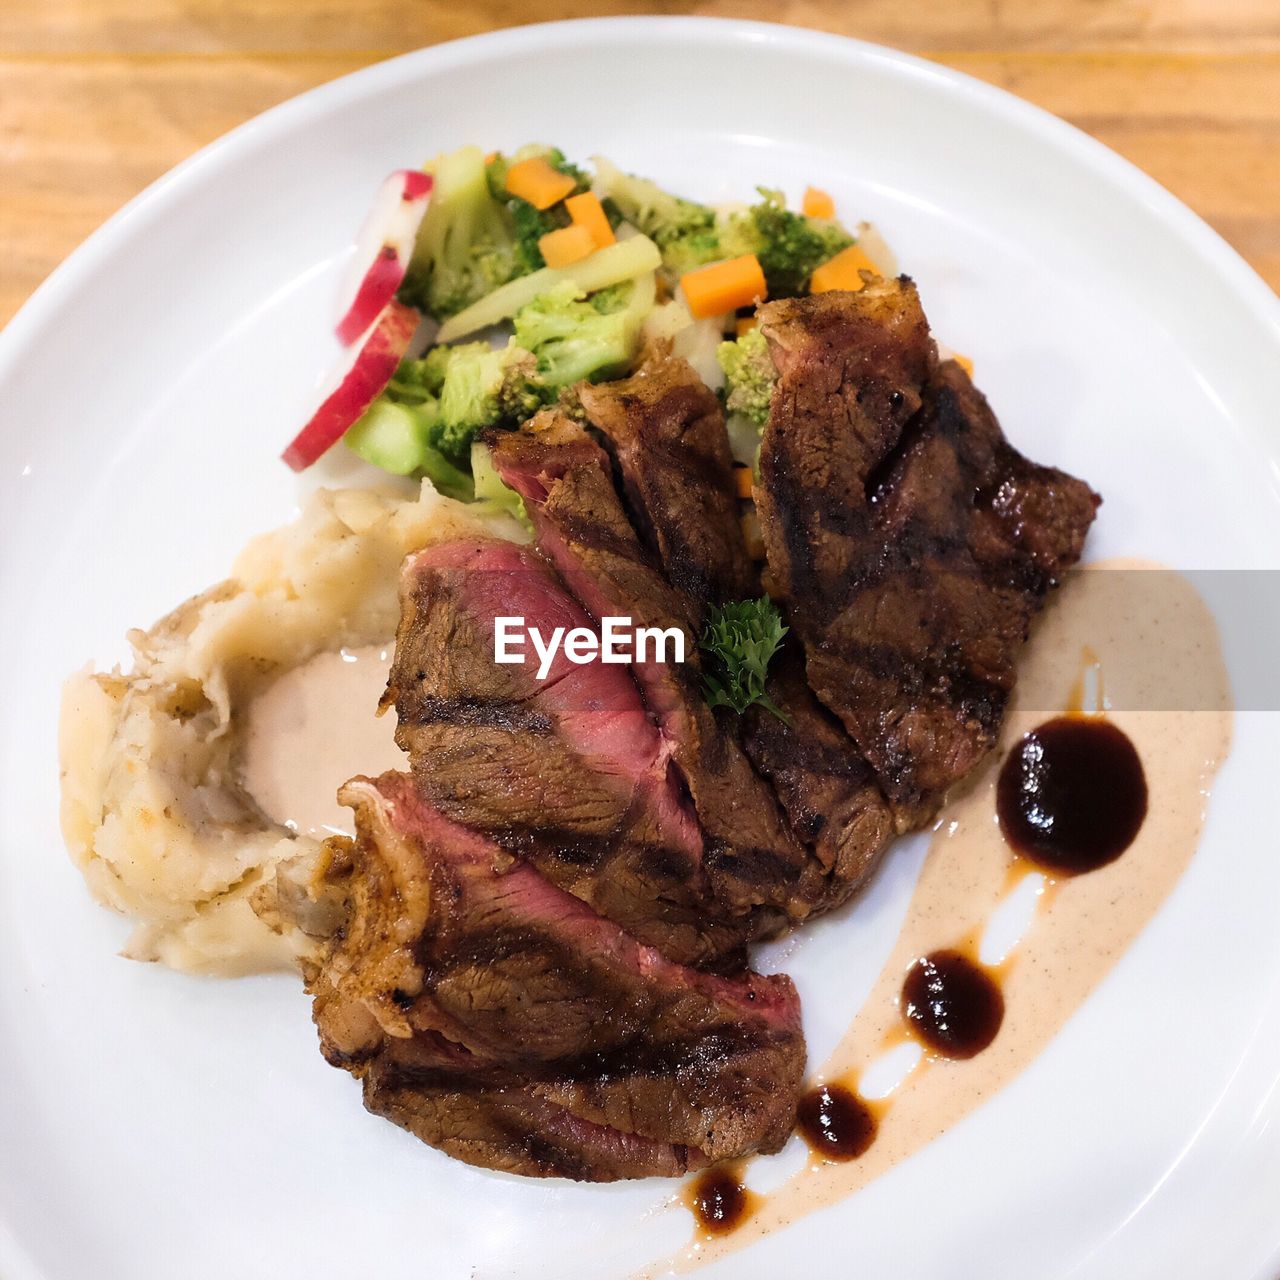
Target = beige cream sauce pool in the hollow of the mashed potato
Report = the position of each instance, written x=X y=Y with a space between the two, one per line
x=312 y=730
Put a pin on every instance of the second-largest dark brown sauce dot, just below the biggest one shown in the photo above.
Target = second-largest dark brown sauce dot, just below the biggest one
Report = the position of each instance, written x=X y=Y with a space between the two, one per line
x=952 y=1004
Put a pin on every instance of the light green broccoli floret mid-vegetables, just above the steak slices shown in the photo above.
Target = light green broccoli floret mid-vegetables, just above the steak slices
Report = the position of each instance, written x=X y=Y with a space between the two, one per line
x=575 y=337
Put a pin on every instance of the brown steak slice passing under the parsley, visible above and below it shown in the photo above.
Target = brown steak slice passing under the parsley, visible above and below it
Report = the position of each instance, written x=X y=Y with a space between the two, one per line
x=669 y=436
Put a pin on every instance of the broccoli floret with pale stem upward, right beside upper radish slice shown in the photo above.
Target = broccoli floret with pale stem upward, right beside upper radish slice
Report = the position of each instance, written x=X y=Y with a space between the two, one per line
x=465 y=246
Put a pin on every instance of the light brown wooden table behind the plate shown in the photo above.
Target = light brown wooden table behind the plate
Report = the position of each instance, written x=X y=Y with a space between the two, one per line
x=98 y=98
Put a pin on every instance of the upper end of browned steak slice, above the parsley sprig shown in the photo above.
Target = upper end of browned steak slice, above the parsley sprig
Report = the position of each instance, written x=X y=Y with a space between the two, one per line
x=668 y=433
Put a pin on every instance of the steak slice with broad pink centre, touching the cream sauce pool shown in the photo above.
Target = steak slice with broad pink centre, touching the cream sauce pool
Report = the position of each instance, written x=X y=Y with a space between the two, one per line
x=569 y=771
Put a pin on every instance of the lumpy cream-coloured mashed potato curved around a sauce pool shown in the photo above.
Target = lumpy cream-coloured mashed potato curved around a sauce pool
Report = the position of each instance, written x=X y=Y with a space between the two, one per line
x=152 y=808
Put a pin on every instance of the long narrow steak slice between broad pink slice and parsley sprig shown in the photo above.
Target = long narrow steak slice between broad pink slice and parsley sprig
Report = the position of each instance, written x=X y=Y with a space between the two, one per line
x=564 y=477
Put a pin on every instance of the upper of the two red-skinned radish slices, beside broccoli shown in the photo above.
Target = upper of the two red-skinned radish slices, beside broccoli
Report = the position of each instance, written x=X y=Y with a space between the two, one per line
x=385 y=249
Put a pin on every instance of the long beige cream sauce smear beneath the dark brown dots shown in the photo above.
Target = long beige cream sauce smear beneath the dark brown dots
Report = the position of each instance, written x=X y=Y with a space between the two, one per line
x=1128 y=642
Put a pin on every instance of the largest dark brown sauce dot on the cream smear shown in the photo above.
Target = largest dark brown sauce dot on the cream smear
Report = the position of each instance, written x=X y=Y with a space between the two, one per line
x=1072 y=796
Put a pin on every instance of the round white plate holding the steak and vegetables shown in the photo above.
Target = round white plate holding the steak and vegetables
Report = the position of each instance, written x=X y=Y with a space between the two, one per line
x=154 y=1126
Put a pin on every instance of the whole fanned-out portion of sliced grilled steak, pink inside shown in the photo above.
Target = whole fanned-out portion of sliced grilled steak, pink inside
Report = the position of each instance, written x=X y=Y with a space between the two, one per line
x=509 y=976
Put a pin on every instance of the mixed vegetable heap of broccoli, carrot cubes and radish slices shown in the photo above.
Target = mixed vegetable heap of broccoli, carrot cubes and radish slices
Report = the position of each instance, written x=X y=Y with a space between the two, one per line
x=537 y=275
